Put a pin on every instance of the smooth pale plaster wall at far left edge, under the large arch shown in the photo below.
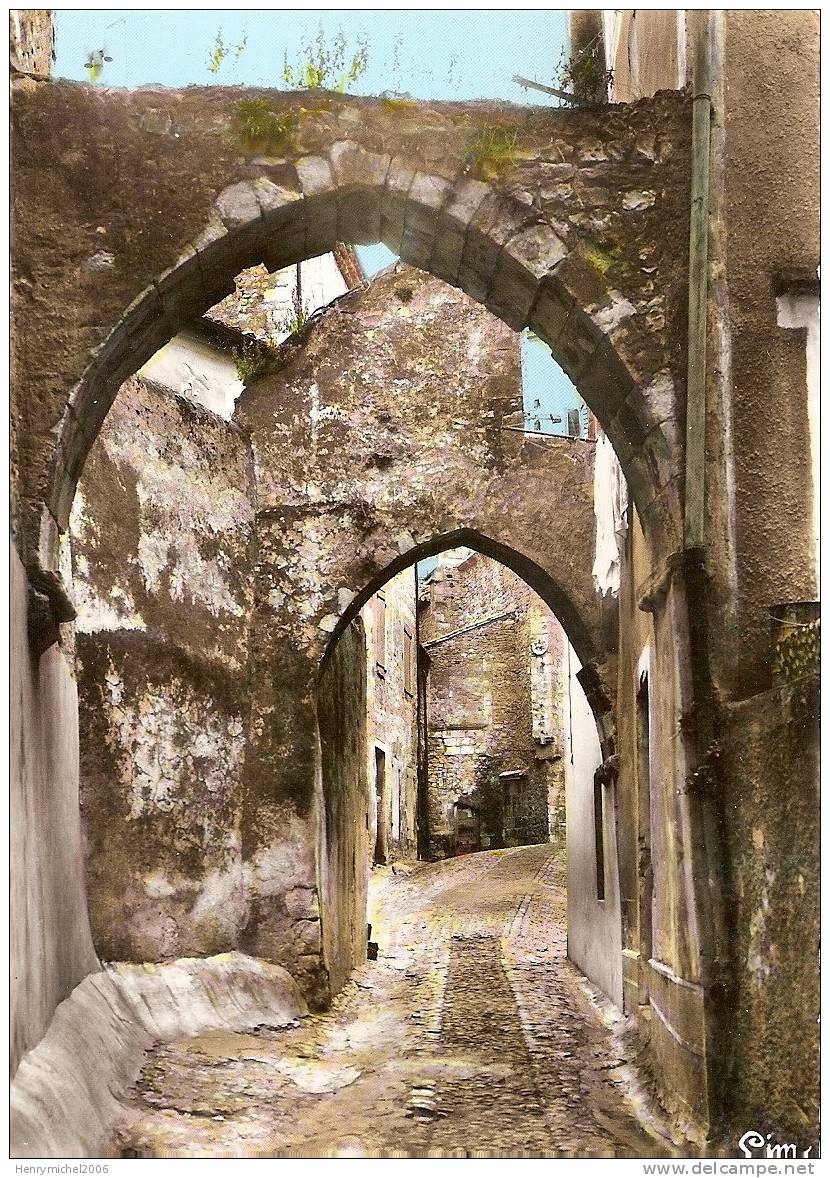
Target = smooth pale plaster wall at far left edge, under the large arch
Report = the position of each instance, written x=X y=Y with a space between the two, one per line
x=51 y=943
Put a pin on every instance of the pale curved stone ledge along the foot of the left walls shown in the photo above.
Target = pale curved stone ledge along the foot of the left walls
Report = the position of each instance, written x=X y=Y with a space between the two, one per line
x=71 y=1091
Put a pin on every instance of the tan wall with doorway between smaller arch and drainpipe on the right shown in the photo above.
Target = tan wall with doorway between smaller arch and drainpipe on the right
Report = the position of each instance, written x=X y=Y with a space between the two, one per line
x=650 y=793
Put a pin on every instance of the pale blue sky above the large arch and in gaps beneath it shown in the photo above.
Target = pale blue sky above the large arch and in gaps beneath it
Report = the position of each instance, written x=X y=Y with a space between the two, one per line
x=441 y=55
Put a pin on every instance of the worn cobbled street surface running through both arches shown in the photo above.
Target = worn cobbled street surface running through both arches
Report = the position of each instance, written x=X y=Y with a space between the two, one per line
x=469 y=1037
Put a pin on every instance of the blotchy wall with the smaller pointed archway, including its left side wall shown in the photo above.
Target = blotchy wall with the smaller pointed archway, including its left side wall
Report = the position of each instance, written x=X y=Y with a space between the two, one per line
x=380 y=438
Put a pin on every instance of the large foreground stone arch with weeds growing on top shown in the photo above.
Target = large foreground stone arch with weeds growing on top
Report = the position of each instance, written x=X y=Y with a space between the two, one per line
x=565 y=240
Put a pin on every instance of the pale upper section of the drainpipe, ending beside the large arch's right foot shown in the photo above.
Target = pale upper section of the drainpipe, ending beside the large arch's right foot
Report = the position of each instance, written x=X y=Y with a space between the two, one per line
x=699 y=273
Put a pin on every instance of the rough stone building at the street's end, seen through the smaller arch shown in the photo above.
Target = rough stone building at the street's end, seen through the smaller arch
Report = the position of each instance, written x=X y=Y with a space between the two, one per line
x=495 y=729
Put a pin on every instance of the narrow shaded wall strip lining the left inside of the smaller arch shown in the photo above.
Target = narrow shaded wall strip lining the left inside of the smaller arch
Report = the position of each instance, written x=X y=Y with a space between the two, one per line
x=346 y=804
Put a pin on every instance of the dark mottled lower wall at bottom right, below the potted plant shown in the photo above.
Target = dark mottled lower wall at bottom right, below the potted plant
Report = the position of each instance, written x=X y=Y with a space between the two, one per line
x=772 y=778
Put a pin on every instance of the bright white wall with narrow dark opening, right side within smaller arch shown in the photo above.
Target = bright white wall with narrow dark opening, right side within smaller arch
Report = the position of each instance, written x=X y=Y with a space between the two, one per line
x=595 y=941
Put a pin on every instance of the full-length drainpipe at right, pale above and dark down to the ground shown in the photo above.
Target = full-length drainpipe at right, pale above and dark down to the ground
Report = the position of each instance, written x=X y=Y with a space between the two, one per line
x=711 y=843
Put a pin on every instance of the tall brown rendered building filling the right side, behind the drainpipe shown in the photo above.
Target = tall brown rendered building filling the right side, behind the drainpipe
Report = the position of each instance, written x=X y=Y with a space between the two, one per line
x=758 y=554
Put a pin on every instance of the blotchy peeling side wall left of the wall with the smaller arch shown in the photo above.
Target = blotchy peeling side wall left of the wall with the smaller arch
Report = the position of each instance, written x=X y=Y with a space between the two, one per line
x=162 y=535
